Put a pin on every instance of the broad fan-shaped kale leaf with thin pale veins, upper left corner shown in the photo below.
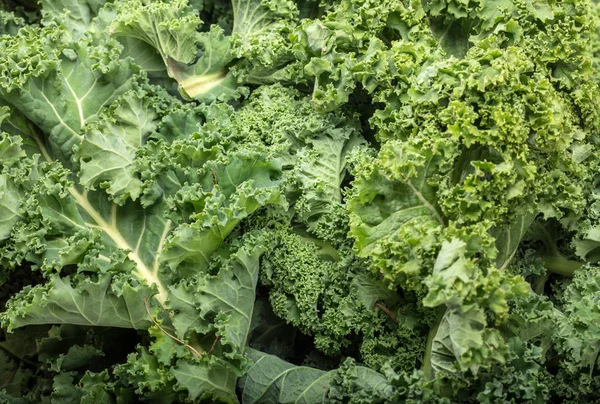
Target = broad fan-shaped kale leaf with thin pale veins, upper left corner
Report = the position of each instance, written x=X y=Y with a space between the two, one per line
x=66 y=90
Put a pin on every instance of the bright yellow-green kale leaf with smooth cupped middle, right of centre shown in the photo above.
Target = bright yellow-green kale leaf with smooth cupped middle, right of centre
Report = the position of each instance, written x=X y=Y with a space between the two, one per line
x=394 y=218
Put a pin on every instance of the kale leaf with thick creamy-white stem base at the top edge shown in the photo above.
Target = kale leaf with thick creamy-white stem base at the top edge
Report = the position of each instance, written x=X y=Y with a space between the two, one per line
x=199 y=57
